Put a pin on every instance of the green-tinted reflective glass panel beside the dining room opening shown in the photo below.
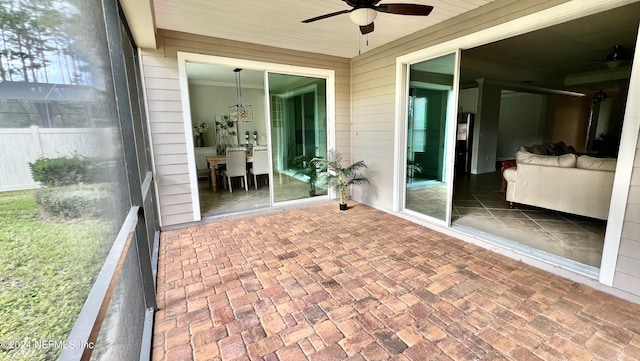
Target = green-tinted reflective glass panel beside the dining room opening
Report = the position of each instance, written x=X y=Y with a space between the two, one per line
x=298 y=134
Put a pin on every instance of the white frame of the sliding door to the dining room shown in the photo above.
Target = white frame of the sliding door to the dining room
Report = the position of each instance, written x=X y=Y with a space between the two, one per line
x=183 y=58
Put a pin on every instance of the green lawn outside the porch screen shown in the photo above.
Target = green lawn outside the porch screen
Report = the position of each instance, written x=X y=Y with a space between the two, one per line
x=47 y=268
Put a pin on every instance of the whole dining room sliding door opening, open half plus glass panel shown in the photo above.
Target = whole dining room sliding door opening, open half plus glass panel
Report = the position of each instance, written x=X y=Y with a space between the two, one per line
x=290 y=122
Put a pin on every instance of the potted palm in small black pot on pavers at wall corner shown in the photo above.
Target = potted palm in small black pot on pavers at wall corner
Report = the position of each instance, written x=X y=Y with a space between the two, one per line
x=339 y=177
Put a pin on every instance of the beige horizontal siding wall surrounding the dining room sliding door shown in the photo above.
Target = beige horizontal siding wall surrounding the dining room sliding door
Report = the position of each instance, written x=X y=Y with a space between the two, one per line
x=160 y=72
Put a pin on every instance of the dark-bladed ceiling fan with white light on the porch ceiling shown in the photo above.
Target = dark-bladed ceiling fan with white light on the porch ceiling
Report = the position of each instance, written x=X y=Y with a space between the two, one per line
x=365 y=11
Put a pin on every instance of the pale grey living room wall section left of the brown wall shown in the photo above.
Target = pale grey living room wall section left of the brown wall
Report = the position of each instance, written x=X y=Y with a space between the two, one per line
x=521 y=122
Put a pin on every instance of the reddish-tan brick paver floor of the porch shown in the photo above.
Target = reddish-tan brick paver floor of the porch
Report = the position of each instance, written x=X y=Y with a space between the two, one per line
x=320 y=284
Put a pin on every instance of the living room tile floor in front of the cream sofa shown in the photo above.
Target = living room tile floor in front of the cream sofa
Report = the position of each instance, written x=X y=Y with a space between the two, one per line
x=478 y=204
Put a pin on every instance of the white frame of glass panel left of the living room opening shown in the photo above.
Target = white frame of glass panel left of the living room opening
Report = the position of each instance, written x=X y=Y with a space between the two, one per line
x=403 y=65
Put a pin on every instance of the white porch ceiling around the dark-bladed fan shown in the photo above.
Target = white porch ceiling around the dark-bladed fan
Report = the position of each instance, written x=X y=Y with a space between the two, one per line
x=278 y=23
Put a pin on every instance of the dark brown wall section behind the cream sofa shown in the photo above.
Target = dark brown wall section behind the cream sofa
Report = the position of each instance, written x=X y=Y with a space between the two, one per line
x=567 y=120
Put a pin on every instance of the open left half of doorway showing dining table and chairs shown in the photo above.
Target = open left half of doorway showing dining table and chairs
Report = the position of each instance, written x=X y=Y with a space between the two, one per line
x=213 y=88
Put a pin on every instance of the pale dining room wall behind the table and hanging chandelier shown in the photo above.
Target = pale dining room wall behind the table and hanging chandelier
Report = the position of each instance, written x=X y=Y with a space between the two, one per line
x=207 y=101
